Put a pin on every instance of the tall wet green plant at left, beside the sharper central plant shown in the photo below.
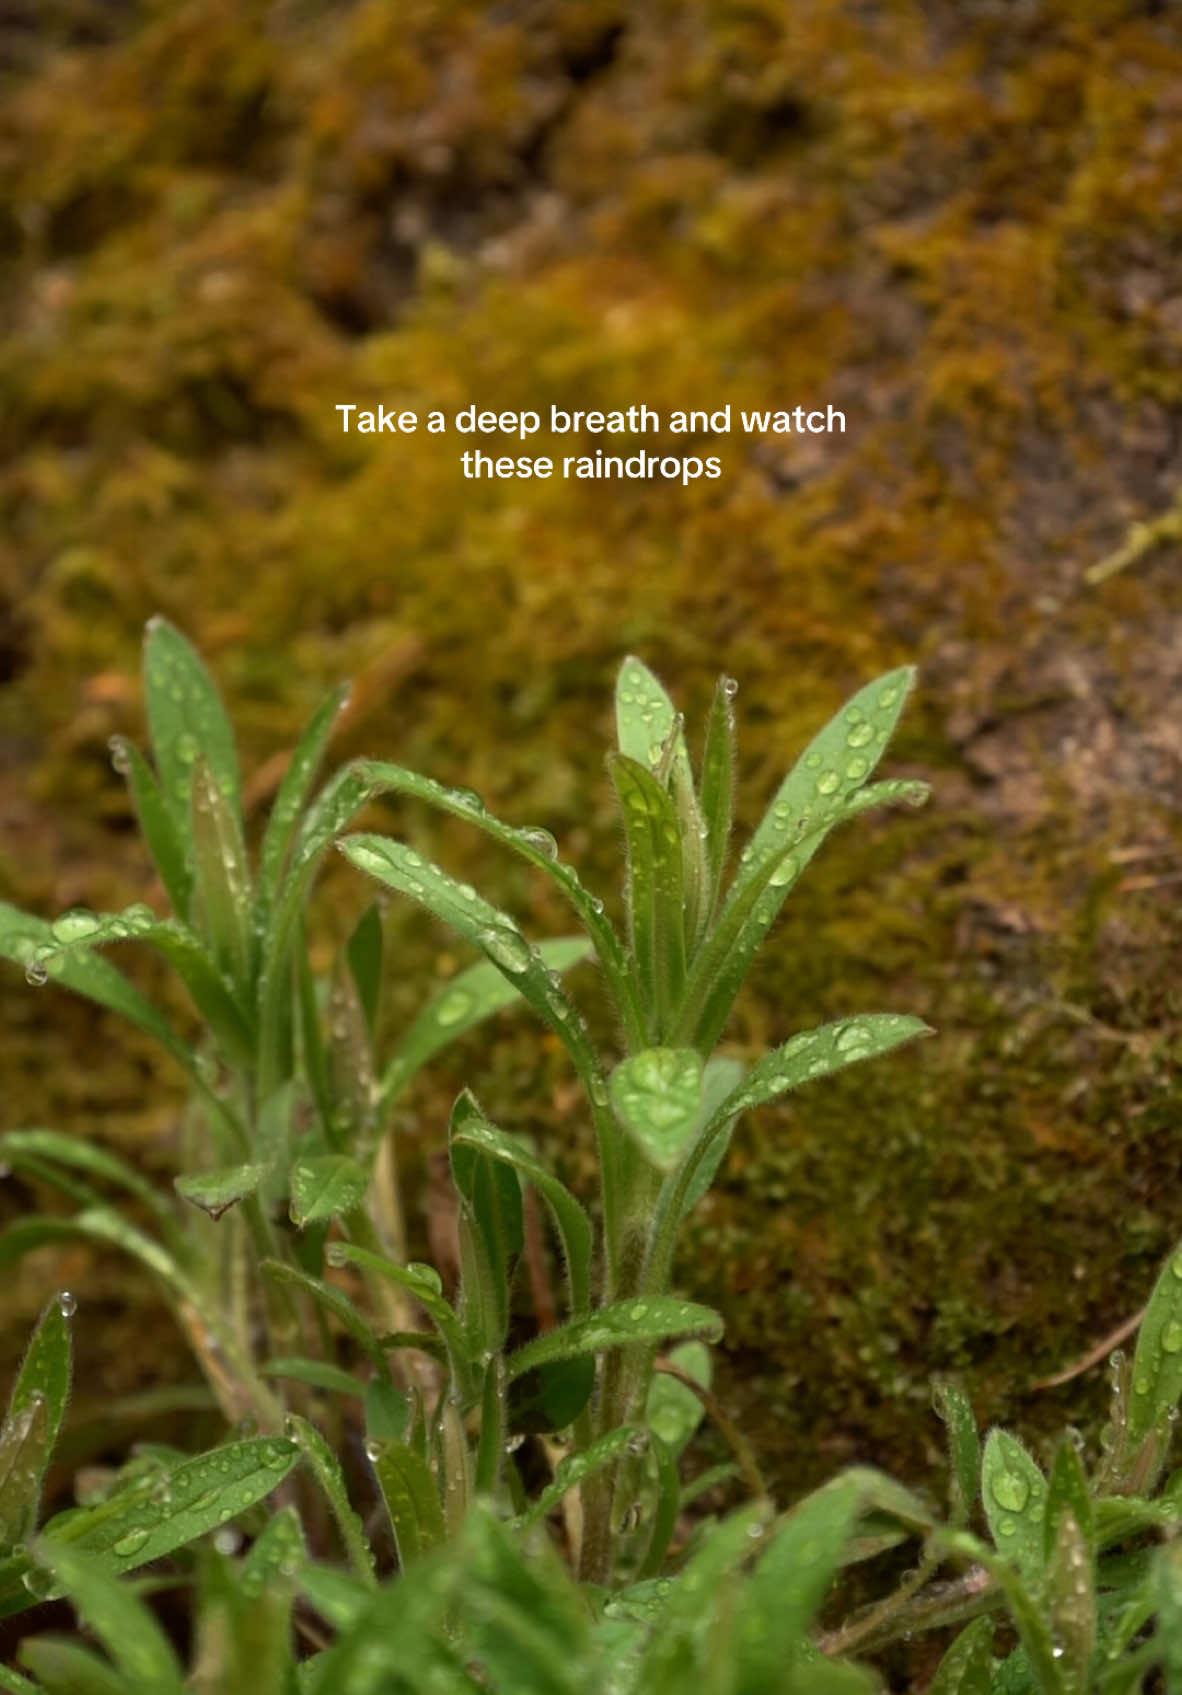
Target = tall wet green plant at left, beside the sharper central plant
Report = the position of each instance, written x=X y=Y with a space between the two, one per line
x=291 y=1096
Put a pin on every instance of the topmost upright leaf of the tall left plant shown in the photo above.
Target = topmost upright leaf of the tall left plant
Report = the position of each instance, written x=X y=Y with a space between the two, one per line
x=187 y=720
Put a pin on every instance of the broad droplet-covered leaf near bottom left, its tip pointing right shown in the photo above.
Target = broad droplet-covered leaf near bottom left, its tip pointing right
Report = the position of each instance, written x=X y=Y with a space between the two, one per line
x=167 y=1513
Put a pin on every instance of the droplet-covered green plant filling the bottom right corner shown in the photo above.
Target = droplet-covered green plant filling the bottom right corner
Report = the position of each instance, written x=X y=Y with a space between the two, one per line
x=1083 y=1562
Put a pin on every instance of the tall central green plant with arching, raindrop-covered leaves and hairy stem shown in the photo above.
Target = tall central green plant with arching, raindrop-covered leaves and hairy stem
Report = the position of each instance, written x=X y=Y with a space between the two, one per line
x=664 y=1109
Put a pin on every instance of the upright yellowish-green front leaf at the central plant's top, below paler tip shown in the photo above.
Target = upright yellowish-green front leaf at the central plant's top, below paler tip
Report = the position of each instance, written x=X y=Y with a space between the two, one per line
x=655 y=887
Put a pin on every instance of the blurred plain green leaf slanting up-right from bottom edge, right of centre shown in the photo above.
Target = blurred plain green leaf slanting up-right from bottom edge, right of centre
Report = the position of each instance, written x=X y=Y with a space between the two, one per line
x=791 y=1581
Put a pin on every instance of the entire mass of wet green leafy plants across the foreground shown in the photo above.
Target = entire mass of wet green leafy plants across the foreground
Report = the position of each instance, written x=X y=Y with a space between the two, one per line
x=284 y=1260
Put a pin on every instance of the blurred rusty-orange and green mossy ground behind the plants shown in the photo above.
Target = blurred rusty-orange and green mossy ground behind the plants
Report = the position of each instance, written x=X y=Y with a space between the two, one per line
x=956 y=220
